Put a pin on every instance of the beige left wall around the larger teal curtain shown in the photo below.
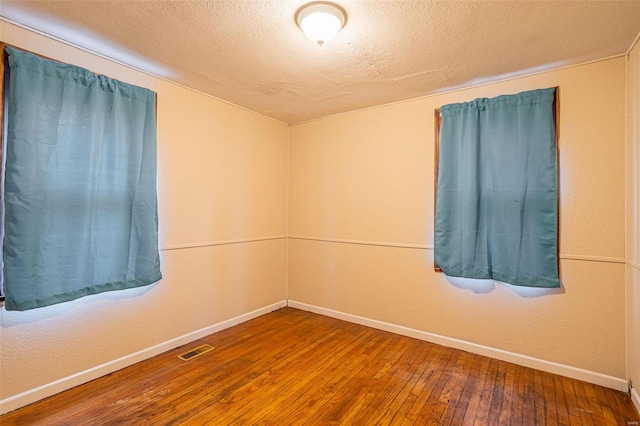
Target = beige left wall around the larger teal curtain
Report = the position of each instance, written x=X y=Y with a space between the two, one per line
x=221 y=177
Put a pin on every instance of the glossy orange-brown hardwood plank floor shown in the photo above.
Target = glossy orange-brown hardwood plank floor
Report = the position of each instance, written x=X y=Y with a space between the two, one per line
x=293 y=367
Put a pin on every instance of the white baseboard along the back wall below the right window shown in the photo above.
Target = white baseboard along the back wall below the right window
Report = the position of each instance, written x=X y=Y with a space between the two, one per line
x=524 y=360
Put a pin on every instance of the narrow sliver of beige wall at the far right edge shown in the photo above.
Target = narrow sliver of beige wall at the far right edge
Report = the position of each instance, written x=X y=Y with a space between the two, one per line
x=633 y=217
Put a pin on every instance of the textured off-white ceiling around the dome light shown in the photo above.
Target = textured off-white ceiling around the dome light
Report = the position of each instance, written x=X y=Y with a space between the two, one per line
x=251 y=53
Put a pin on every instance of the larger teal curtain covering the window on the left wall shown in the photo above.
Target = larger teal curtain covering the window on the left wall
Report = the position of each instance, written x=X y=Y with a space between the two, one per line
x=80 y=184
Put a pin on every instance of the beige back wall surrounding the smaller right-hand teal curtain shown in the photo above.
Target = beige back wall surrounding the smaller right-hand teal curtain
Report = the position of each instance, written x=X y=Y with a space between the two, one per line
x=361 y=225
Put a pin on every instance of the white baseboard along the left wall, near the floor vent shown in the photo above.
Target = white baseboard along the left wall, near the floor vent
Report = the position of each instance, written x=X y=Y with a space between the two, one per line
x=33 y=395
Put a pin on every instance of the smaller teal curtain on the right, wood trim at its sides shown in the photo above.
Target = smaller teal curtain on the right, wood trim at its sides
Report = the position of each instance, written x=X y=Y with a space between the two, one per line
x=497 y=200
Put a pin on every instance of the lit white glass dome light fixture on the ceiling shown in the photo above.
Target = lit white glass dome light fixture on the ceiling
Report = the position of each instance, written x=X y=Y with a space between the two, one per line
x=320 y=21
